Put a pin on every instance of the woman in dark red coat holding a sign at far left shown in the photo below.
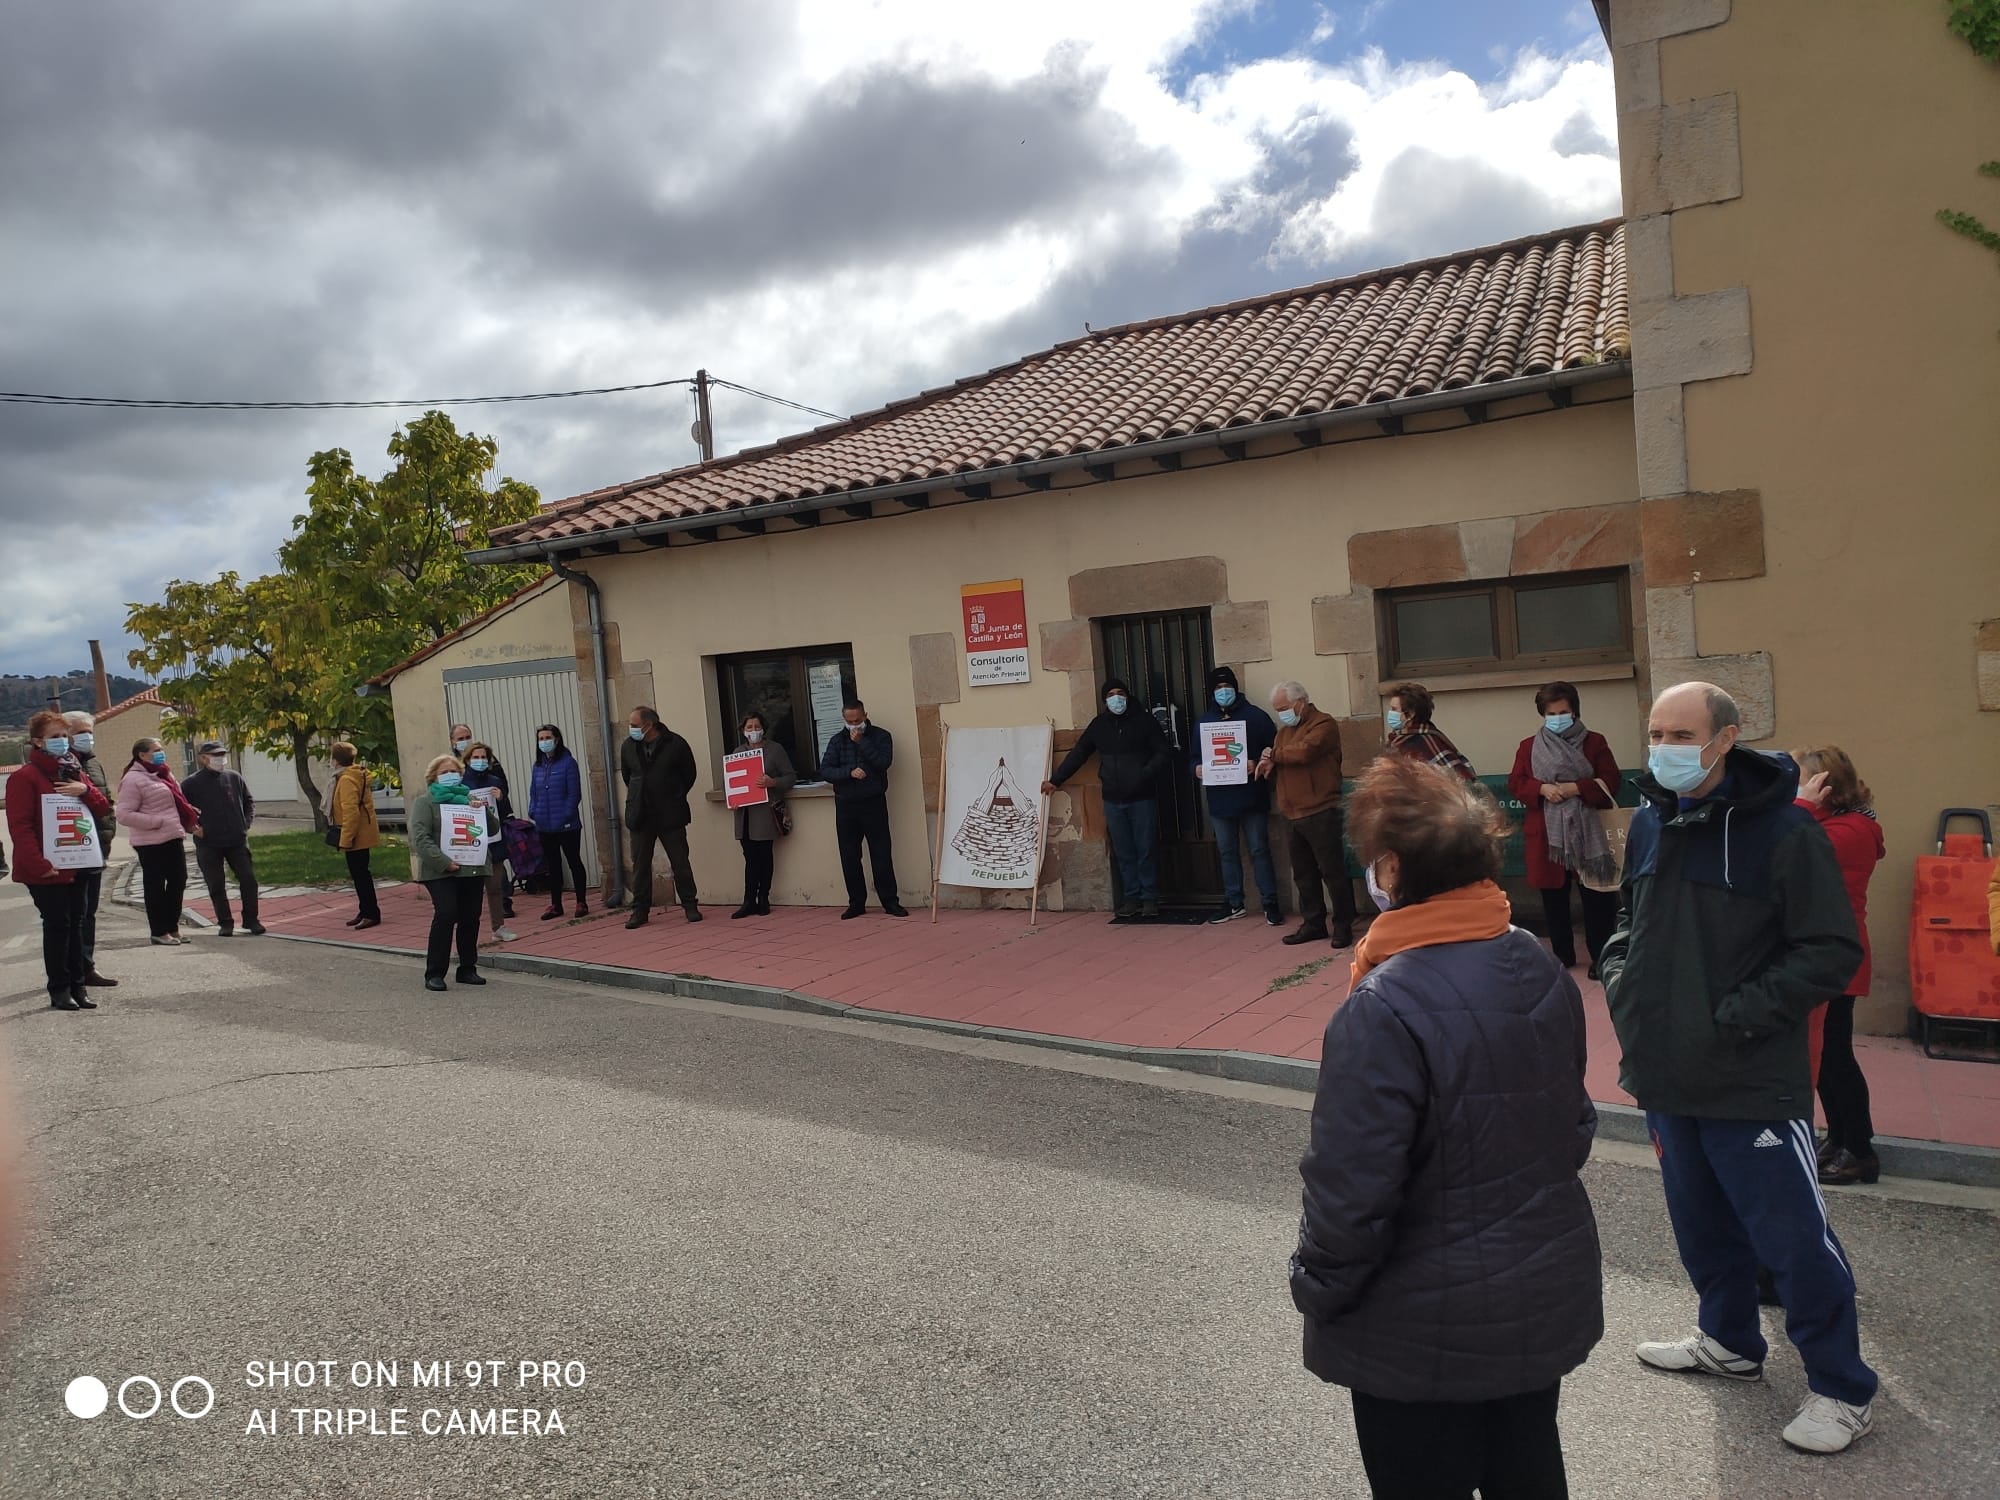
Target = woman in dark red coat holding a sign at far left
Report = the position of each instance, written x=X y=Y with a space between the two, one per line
x=53 y=839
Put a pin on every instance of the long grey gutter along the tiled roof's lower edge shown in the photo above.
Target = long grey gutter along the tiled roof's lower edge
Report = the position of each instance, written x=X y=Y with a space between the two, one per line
x=1439 y=401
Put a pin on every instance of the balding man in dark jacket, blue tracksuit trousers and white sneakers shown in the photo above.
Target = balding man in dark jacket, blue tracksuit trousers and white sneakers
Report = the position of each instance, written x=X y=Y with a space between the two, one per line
x=1737 y=925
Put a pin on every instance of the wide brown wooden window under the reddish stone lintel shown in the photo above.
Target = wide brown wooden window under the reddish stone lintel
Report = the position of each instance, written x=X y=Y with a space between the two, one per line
x=1523 y=623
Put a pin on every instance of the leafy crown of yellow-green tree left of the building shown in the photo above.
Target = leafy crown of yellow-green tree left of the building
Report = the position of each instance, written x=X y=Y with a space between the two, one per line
x=373 y=573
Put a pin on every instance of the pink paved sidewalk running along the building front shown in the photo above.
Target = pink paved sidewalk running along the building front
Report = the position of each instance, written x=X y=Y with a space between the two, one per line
x=1229 y=987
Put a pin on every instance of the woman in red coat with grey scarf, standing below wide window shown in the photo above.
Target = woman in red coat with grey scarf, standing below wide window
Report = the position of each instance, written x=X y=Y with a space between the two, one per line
x=1563 y=775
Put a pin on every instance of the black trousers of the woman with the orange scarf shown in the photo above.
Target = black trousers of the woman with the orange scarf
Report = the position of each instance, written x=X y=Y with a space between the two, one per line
x=1445 y=1451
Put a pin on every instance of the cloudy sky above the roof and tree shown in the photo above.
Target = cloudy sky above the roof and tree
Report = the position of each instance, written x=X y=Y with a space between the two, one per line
x=839 y=201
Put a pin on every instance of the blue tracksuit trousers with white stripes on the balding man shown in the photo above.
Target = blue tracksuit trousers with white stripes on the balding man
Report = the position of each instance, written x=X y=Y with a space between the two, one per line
x=1747 y=1193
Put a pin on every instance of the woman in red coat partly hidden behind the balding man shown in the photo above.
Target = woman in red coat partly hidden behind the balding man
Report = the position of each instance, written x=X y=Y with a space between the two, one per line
x=1841 y=801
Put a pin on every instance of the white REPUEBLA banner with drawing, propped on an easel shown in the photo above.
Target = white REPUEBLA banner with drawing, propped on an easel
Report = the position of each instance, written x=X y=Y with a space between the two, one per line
x=993 y=807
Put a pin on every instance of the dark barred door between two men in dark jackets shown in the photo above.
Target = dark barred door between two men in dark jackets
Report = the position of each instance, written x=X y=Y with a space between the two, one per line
x=1167 y=657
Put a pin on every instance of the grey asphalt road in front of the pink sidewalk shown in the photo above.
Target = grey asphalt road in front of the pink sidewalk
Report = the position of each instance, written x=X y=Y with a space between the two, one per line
x=779 y=1257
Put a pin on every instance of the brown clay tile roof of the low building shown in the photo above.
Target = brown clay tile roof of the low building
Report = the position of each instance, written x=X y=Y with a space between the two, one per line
x=1457 y=323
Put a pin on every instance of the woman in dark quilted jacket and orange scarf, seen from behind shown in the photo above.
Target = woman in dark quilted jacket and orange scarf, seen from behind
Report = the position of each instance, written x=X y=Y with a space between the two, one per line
x=1449 y=1265
